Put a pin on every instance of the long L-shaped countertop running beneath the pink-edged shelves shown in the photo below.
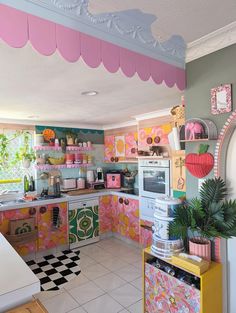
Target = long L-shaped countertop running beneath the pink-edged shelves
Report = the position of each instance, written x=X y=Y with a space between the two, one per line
x=67 y=198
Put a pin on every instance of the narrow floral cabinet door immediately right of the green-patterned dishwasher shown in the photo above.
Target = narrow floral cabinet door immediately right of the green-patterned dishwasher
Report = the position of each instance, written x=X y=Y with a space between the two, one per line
x=105 y=214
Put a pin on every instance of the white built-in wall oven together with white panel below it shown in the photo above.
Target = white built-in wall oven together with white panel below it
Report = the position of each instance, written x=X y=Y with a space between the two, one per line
x=154 y=182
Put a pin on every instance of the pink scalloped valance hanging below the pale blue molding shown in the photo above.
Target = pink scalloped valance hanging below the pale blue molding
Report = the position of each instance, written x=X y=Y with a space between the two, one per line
x=17 y=28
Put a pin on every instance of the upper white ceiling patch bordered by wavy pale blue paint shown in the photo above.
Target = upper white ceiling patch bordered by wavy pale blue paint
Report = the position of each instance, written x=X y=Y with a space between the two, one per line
x=192 y=19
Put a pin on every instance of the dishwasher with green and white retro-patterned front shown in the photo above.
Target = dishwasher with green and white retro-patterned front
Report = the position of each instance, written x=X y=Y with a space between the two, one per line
x=83 y=222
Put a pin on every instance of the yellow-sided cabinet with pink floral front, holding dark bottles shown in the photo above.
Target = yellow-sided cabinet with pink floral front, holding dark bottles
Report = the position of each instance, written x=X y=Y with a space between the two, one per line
x=184 y=292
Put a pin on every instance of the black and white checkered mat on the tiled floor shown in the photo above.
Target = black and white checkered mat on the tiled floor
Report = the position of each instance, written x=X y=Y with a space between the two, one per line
x=54 y=271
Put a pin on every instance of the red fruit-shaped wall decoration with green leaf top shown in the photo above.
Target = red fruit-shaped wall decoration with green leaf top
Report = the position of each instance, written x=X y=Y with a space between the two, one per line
x=200 y=164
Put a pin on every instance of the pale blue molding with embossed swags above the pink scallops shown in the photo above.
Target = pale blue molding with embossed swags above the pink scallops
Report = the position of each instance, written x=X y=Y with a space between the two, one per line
x=130 y=29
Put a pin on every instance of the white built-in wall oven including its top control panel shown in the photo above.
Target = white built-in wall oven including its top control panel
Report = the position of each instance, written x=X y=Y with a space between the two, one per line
x=154 y=178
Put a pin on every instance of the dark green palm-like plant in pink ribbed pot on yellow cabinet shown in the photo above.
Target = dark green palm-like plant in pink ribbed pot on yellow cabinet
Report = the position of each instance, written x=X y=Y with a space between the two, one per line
x=205 y=218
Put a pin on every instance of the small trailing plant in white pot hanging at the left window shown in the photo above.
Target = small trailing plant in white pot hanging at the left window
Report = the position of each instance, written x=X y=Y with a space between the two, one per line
x=25 y=154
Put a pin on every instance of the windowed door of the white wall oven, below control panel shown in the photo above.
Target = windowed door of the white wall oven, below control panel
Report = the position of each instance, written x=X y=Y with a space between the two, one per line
x=154 y=181
